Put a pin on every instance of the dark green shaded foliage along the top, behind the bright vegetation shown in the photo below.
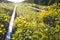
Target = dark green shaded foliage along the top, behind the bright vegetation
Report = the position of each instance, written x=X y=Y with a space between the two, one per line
x=43 y=2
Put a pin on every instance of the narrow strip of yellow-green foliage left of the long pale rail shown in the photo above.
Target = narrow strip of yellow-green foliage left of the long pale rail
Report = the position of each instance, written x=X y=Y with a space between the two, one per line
x=5 y=14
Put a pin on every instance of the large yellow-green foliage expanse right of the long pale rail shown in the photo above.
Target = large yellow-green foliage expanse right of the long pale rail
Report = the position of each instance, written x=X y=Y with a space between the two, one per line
x=32 y=25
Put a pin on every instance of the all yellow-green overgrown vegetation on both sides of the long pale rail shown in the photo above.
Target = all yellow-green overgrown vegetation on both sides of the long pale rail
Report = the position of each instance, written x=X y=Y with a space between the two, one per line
x=30 y=24
